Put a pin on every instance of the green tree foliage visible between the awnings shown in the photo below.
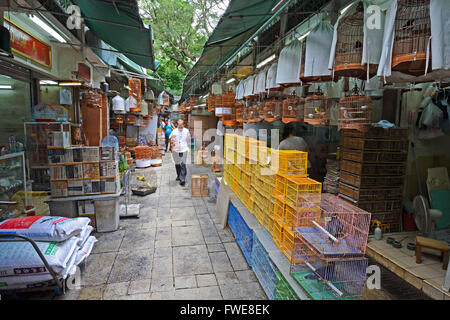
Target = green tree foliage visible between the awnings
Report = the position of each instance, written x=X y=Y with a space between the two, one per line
x=180 y=28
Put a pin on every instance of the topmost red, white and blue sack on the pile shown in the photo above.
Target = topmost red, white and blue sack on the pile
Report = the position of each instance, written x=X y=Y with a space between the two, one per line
x=44 y=228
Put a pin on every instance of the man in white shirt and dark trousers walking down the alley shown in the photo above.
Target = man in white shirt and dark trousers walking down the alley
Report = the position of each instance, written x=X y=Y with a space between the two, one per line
x=180 y=138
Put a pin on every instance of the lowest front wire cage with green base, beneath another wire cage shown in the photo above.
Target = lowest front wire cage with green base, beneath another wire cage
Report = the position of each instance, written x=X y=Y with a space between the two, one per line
x=342 y=279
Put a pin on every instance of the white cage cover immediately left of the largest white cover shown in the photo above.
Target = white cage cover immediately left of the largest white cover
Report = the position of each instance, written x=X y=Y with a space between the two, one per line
x=289 y=62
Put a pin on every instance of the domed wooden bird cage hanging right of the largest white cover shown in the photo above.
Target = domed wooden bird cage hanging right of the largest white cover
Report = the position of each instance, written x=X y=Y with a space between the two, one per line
x=349 y=47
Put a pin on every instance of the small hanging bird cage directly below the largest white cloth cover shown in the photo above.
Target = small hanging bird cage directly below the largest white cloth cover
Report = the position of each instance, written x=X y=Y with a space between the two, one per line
x=317 y=109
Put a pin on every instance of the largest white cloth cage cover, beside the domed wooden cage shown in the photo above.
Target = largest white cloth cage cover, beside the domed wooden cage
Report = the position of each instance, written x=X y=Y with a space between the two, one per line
x=317 y=51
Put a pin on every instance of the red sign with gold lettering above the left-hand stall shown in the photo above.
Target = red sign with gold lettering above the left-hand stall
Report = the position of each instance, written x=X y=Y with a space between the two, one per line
x=29 y=46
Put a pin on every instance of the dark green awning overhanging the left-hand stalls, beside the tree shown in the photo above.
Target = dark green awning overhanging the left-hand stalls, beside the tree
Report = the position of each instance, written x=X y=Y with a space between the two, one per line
x=119 y=24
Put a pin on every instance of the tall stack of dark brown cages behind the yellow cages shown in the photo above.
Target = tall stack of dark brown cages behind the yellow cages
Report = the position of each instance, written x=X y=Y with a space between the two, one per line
x=372 y=171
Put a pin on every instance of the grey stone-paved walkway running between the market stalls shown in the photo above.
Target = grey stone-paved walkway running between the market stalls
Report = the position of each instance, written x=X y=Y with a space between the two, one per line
x=175 y=250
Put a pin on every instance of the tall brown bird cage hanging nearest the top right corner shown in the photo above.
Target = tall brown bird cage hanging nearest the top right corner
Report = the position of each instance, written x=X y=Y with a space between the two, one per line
x=411 y=37
